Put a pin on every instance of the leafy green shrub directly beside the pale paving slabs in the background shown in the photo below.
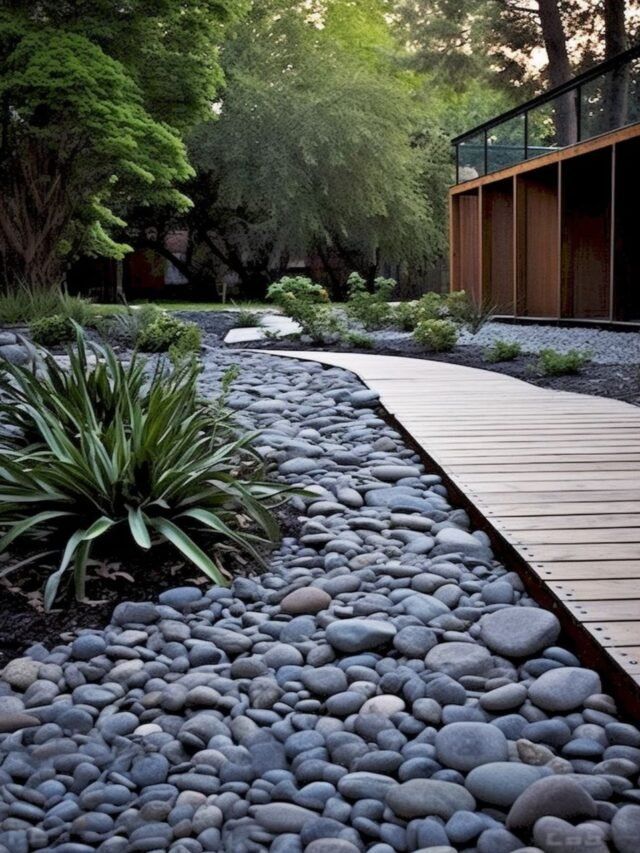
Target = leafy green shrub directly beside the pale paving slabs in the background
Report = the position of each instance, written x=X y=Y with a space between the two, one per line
x=308 y=305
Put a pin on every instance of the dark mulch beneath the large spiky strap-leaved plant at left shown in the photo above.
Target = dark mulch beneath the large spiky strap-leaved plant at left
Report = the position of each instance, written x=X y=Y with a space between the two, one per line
x=135 y=577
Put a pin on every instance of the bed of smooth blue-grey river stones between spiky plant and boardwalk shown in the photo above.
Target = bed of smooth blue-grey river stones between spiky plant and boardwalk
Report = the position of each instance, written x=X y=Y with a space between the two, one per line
x=385 y=686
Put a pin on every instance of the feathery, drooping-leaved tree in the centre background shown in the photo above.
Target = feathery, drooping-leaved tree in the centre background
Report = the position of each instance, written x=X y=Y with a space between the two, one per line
x=316 y=147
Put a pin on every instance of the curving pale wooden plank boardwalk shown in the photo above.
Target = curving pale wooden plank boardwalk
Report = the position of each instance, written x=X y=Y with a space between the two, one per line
x=556 y=474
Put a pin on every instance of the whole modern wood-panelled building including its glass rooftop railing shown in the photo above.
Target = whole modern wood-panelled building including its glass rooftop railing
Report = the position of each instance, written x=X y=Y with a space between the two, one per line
x=544 y=213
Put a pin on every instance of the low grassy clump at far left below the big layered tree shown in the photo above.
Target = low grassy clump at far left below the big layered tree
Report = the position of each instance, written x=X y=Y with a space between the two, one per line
x=24 y=304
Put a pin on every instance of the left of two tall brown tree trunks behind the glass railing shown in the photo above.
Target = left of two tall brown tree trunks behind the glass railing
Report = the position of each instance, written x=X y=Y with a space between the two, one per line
x=559 y=70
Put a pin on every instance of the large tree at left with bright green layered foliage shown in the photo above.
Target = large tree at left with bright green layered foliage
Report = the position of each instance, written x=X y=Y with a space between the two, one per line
x=93 y=105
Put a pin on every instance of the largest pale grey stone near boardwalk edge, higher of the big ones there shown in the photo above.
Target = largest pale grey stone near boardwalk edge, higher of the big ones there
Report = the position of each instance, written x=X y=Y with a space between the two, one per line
x=517 y=632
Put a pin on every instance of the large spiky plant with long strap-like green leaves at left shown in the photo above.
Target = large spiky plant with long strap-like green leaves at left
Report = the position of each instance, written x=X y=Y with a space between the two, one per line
x=101 y=446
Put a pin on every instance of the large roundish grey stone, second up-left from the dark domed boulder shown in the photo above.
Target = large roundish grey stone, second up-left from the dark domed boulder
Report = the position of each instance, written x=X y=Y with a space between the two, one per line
x=463 y=746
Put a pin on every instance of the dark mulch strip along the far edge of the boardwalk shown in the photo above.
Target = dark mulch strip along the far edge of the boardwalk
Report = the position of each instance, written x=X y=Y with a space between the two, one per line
x=619 y=381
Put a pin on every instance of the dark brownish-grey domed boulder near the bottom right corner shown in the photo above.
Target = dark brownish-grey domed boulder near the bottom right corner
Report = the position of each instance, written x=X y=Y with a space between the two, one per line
x=553 y=796
